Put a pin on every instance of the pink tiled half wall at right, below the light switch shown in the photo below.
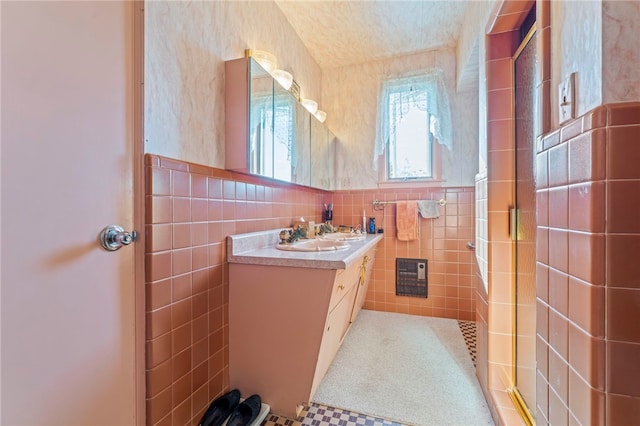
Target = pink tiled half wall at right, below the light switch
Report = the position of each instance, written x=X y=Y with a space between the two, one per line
x=589 y=293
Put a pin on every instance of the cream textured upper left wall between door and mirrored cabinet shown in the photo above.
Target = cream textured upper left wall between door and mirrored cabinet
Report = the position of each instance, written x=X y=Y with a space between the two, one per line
x=186 y=45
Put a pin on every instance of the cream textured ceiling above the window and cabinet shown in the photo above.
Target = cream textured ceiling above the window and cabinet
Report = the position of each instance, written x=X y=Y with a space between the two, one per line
x=339 y=33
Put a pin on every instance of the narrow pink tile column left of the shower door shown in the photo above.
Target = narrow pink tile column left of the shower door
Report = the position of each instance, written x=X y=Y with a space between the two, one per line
x=500 y=184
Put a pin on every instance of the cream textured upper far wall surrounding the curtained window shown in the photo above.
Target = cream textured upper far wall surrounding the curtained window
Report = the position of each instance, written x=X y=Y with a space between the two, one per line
x=350 y=96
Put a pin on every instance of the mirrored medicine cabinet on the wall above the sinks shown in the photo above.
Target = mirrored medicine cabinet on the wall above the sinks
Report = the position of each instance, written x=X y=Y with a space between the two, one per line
x=269 y=133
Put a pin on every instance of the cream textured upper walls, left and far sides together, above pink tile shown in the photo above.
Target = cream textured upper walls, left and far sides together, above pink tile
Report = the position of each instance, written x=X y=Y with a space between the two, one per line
x=187 y=44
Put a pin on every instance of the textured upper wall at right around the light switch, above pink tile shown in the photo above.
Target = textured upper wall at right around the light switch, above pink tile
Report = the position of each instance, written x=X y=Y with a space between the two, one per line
x=598 y=40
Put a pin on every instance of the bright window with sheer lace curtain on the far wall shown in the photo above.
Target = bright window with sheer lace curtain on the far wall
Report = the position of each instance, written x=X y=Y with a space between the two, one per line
x=413 y=112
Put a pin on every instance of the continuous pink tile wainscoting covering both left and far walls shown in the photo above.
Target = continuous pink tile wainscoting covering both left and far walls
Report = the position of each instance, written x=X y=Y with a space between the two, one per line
x=190 y=209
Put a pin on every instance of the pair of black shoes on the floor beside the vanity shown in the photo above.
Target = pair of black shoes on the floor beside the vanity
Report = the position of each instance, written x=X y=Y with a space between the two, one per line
x=229 y=406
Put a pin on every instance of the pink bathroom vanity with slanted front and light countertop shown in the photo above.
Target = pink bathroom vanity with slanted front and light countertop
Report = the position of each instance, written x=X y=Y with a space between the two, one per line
x=288 y=314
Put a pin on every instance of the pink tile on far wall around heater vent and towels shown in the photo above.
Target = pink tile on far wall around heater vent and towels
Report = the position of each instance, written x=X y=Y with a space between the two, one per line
x=452 y=266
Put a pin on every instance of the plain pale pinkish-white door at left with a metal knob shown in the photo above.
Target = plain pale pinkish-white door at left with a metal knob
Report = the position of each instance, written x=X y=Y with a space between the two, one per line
x=68 y=307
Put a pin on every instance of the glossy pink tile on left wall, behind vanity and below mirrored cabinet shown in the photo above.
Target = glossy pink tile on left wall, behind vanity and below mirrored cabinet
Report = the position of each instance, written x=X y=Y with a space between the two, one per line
x=190 y=210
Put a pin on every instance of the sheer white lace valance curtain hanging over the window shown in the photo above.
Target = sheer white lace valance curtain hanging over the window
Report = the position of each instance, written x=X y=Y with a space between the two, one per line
x=427 y=92
